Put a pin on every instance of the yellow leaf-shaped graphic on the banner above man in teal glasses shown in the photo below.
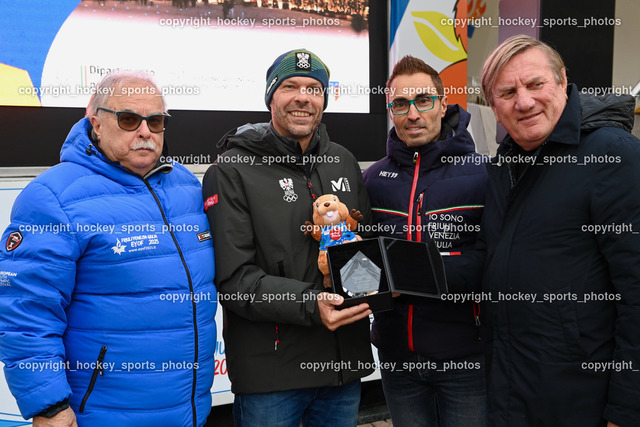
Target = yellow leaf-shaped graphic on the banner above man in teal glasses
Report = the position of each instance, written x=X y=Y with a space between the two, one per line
x=439 y=36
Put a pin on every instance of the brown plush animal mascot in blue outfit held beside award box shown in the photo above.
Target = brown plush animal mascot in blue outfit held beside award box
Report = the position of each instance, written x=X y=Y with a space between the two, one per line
x=333 y=224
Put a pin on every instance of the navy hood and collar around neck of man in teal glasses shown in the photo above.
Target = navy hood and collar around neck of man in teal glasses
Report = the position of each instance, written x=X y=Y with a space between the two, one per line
x=454 y=140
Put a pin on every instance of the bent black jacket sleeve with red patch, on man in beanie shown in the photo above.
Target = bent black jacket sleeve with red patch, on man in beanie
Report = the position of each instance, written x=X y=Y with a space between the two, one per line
x=244 y=287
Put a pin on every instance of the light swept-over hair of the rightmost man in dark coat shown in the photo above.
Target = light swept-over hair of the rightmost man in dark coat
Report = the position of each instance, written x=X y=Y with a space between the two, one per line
x=509 y=48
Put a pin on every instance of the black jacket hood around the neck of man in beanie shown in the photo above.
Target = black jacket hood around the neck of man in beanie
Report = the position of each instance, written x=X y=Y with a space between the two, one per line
x=262 y=139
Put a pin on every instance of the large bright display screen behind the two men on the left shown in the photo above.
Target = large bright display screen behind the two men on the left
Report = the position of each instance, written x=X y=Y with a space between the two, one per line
x=204 y=54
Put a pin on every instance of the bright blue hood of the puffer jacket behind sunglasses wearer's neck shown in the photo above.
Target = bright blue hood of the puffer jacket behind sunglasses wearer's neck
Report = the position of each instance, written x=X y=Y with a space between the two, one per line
x=79 y=148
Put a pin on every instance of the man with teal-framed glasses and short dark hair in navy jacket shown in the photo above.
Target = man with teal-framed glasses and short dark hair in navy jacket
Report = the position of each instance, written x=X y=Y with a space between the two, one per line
x=431 y=185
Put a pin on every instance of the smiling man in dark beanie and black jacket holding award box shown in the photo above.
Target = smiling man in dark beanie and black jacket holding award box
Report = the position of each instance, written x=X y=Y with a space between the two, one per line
x=292 y=356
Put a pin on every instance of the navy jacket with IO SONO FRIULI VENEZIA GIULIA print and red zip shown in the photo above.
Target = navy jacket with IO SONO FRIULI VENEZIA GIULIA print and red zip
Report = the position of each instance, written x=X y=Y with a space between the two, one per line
x=435 y=192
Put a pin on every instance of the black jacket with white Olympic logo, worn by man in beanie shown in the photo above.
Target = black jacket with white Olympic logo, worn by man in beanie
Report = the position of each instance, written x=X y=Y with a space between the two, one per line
x=259 y=196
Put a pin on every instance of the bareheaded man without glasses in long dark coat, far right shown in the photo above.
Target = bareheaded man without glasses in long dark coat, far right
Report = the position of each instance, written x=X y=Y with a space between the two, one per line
x=561 y=248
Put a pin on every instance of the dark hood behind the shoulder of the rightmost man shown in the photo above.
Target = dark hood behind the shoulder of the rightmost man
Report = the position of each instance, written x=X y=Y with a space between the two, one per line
x=608 y=110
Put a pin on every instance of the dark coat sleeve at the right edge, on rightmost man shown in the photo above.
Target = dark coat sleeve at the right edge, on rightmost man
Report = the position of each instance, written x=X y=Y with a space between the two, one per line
x=616 y=202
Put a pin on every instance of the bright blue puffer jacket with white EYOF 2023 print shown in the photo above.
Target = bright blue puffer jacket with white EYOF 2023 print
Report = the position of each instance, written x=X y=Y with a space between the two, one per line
x=107 y=294
